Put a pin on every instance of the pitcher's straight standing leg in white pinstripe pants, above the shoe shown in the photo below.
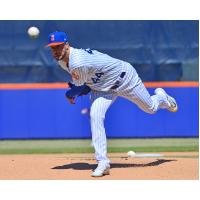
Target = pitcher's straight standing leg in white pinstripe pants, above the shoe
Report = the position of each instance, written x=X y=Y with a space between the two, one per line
x=100 y=104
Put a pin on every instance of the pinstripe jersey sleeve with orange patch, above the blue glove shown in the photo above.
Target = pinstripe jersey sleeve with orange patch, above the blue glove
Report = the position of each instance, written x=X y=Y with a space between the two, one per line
x=79 y=76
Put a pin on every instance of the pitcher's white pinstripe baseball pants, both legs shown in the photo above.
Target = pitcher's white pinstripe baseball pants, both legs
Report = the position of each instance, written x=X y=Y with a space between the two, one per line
x=132 y=89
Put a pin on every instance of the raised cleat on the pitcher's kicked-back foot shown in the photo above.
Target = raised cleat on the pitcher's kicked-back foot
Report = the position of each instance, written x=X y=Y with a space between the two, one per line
x=173 y=107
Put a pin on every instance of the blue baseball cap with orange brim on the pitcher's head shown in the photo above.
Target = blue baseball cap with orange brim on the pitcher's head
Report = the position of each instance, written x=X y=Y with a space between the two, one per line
x=57 y=38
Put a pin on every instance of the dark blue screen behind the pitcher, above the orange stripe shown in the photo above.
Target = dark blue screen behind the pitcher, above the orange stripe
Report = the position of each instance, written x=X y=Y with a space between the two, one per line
x=159 y=50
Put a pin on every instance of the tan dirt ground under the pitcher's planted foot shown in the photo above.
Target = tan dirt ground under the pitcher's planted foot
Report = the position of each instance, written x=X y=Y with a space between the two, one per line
x=176 y=165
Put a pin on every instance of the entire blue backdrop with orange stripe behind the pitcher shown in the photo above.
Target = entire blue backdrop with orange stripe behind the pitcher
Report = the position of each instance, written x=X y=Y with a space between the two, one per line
x=165 y=53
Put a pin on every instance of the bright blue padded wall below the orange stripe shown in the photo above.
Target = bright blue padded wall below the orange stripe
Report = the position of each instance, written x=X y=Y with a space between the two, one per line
x=40 y=113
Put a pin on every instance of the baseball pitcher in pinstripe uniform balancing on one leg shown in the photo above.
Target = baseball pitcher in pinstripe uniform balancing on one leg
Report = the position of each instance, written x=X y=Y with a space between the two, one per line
x=107 y=78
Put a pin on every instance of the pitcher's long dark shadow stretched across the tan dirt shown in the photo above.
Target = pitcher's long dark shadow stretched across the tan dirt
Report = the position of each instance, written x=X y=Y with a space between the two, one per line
x=86 y=166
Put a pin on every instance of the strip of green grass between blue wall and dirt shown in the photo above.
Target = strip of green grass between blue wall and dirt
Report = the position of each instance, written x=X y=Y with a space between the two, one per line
x=84 y=146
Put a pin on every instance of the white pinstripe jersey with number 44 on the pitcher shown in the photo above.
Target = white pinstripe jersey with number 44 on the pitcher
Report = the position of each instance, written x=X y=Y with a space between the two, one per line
x=99 y=71
